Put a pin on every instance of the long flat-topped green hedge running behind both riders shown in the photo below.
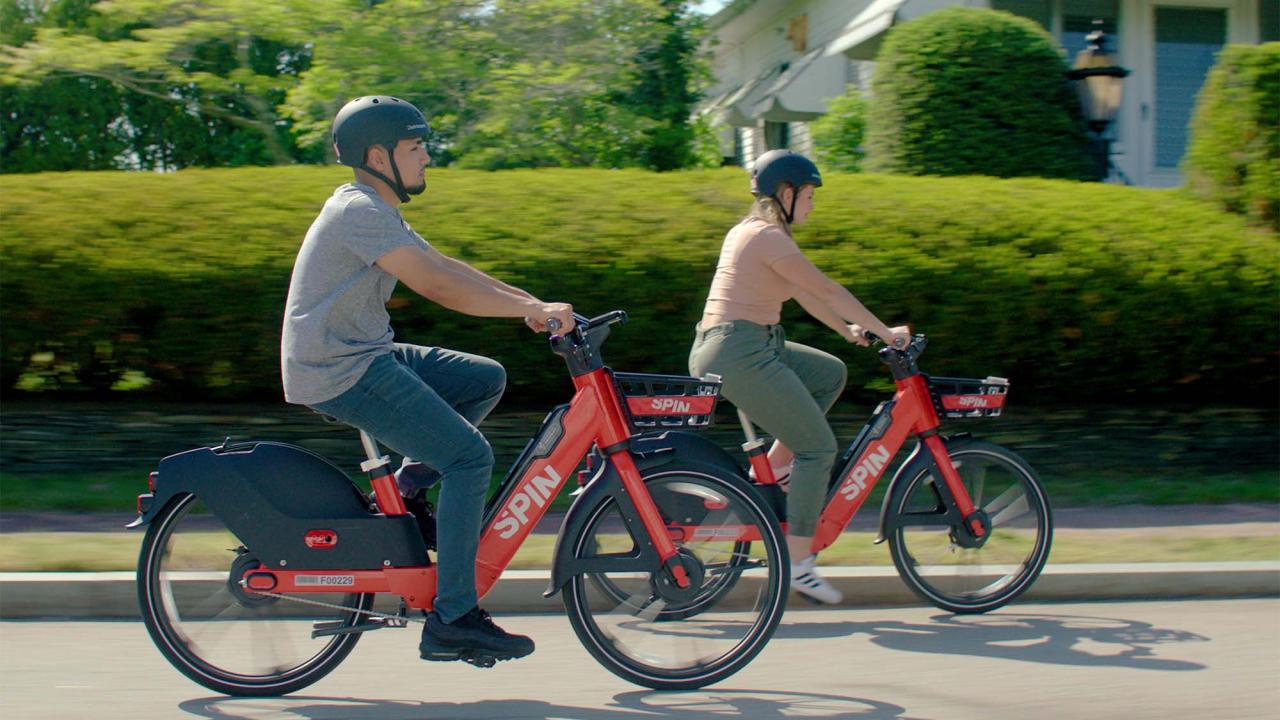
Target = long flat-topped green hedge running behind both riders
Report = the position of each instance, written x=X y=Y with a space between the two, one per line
x=1073 y=290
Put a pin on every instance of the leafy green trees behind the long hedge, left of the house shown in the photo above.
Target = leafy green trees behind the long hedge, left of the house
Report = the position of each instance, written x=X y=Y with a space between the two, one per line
x=234 y=83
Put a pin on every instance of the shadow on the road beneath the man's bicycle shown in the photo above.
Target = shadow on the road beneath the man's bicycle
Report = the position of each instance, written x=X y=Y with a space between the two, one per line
x=641 y=705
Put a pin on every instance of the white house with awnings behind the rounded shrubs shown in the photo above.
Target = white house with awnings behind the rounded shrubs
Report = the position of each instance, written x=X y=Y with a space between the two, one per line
x=776 y=63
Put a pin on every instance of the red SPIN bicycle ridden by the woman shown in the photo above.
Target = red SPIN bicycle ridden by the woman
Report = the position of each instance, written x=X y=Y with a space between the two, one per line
x=968 y=523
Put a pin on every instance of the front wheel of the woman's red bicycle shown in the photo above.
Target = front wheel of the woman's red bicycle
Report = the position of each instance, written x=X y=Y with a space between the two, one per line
x=945 y=571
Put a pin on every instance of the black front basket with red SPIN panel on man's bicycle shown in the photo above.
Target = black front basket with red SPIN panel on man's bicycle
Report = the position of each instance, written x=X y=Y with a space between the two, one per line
x=668 y=402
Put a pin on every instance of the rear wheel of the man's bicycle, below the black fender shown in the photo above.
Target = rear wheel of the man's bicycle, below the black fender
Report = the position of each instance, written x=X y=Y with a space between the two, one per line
x=217 y=634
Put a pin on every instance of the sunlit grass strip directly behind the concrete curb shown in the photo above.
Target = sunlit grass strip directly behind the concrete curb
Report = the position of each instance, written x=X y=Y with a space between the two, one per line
x=120 y=552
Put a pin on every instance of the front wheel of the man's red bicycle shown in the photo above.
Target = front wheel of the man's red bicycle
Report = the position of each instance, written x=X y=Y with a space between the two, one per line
x=642 y=628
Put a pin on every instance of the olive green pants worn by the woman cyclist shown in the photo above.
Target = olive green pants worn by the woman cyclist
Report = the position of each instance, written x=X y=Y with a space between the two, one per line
x=787 y=389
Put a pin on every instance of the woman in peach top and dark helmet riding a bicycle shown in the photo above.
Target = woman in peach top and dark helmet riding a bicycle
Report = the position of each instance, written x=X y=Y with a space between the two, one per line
x=784 y=388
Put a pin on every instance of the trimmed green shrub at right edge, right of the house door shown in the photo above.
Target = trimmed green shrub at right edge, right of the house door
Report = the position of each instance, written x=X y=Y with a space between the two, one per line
x=1235 y=152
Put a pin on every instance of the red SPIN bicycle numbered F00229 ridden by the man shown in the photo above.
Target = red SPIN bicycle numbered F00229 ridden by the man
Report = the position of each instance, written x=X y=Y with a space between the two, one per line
x=262 y=562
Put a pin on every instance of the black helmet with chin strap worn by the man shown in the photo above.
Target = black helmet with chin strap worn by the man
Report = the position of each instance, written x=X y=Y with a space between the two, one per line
x=377 y=121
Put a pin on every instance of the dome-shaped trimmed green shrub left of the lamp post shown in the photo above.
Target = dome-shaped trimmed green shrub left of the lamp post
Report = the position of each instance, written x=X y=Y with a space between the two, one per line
x=968 y=92
